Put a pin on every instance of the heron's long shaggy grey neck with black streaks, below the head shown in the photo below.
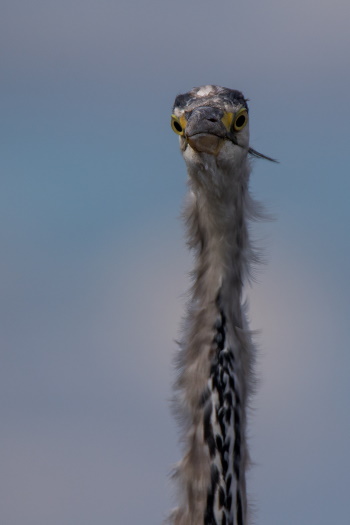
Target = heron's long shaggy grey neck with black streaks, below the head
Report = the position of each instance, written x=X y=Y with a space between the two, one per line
x=215 y=359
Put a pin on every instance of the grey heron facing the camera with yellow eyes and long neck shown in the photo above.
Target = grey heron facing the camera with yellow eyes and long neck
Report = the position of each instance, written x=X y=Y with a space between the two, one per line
x=215 y=360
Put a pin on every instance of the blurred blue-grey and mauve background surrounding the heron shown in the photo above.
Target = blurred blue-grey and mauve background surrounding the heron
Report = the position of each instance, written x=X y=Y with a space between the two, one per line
x=94 y=266
